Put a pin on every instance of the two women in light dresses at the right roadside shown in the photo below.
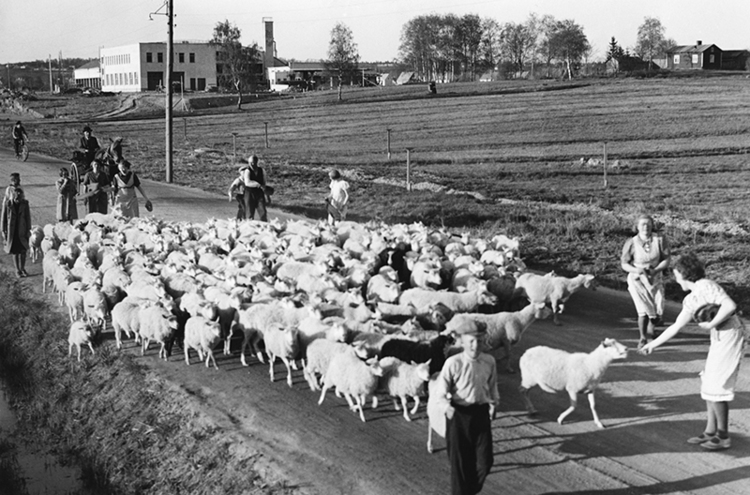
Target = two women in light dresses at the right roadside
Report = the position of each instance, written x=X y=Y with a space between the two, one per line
x=646 y=257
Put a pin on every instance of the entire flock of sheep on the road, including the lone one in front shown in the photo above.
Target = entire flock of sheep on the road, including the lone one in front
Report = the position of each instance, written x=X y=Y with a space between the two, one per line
x=366 y=309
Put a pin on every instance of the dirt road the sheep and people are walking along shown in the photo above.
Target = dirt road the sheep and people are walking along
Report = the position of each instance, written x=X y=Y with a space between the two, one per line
x=649 y=404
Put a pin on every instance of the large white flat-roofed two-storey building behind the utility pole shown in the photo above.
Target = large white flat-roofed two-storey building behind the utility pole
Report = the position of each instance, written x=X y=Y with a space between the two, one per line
x=142 y=66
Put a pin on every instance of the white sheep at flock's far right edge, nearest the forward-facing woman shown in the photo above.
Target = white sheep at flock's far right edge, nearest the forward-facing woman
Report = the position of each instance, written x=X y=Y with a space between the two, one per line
x=553 y=289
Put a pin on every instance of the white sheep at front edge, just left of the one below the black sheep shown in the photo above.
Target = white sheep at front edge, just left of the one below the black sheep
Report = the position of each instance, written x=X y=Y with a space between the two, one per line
x=352 y=377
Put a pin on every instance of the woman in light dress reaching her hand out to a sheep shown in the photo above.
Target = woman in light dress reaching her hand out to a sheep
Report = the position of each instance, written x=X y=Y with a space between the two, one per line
x=719 y=375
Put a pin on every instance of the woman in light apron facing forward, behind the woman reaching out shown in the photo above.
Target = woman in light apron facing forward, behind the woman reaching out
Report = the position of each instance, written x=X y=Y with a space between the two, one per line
x=645 y=257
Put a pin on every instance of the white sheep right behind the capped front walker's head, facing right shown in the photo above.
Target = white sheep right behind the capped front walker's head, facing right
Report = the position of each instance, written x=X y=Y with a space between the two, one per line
x=503 y=329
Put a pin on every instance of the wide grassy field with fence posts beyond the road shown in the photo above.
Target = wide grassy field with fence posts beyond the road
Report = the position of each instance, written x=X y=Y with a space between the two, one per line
x=526 y=152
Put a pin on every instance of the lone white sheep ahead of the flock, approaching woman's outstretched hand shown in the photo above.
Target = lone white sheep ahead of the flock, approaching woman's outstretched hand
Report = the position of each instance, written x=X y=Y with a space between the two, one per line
x=555 y=370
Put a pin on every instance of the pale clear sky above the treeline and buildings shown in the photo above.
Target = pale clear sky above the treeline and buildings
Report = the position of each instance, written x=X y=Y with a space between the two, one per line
x=36 y=29
